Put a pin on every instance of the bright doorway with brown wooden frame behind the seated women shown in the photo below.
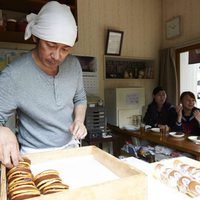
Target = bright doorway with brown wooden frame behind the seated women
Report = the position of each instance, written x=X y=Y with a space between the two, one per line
x=188 y=70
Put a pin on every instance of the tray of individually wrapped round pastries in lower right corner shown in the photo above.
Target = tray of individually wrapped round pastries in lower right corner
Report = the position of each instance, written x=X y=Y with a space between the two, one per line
x=181 y=173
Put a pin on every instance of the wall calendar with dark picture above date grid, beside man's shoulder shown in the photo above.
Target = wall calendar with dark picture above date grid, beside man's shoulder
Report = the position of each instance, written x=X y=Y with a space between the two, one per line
x=90 y=74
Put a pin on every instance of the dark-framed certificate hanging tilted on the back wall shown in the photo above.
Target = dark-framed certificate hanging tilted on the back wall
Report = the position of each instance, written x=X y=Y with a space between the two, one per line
x=114 y=42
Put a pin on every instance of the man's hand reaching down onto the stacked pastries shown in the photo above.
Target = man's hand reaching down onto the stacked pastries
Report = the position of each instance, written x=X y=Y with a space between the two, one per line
x=9 y=148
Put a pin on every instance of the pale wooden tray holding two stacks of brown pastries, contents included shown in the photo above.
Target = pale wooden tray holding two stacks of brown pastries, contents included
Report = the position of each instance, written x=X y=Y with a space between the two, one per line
x=81 y=173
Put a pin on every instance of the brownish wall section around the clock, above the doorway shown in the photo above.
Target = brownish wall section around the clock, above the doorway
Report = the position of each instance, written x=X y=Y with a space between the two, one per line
x=190 y=21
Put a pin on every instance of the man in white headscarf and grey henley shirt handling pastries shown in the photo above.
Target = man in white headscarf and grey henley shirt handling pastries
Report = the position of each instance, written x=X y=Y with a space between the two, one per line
x=45 y=88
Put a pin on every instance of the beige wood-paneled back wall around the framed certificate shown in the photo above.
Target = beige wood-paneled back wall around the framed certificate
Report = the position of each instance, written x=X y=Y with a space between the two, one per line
x=141 y=22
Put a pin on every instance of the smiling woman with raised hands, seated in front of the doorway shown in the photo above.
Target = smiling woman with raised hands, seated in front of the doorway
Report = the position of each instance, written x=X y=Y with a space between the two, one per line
x=188 y=116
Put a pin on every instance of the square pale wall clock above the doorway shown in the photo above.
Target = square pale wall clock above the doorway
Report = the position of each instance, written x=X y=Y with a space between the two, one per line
x=173 y=27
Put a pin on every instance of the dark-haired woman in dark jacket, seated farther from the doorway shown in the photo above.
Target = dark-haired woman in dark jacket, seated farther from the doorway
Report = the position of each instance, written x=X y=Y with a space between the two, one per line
x=160 y=113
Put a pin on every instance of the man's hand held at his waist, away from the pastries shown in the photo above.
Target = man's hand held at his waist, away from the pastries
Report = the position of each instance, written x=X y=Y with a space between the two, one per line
x=78 y=129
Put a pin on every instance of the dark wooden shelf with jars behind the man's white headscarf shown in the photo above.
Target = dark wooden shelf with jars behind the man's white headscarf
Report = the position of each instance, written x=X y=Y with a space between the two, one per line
x=12 y=28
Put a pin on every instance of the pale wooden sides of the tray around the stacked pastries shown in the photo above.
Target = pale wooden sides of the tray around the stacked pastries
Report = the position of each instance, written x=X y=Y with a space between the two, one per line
x=130 y=183
